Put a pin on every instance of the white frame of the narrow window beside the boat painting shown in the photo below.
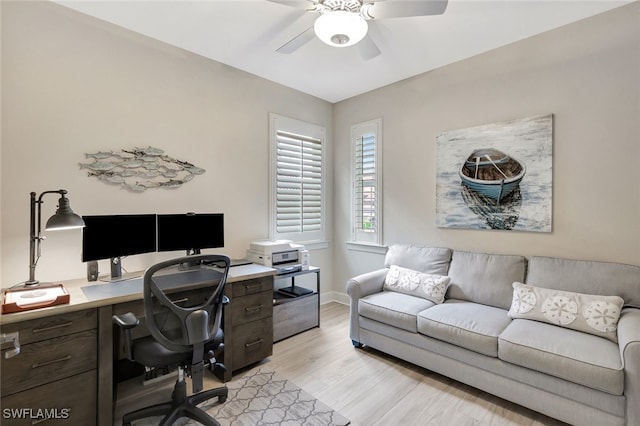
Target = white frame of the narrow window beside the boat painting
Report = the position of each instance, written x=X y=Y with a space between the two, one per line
x=358 y=234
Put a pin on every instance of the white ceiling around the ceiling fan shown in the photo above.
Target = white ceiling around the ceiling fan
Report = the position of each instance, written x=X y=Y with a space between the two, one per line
x=246 y=33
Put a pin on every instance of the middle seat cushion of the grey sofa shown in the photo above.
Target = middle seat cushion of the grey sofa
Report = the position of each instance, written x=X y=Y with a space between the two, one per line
x=469 y=325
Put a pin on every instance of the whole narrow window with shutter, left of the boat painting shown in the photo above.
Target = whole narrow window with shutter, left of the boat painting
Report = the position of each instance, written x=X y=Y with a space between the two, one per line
x=367 y=182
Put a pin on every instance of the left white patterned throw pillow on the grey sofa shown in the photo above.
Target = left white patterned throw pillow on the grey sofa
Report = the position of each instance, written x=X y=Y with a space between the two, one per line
x=414 y=283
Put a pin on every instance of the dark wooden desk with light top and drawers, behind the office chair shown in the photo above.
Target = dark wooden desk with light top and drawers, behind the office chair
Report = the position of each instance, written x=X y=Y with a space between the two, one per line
x=67 y=353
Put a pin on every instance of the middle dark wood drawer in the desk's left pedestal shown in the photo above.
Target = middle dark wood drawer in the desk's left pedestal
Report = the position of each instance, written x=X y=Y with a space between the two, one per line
x=43 y=362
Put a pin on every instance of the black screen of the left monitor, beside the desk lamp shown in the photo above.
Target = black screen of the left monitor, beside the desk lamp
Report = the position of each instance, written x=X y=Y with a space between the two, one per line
x=112 y=236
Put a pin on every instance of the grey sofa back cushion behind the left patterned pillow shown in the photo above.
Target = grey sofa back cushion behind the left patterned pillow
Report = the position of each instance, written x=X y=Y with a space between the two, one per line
x=430 y=260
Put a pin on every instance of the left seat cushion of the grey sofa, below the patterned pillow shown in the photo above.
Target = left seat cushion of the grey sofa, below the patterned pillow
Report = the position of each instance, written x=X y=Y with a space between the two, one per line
x=396 y=309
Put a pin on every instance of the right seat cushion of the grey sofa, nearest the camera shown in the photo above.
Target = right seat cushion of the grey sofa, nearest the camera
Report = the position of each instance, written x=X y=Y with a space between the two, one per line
x=571 y=355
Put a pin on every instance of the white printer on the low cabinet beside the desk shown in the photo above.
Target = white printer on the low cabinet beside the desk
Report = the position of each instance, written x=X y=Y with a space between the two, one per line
x=283 y=255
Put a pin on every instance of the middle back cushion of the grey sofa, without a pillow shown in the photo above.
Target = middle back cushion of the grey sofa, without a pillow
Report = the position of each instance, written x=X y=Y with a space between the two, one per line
x=485 y=278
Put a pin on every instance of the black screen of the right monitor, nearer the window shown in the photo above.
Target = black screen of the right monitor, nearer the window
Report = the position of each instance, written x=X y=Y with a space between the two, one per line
x=191 y=231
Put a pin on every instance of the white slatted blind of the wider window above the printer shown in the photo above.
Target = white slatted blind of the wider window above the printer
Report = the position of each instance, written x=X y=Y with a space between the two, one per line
x=298 y=183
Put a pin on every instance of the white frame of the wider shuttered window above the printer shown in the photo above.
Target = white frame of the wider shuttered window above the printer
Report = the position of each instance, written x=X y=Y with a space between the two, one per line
x=280 y=125
